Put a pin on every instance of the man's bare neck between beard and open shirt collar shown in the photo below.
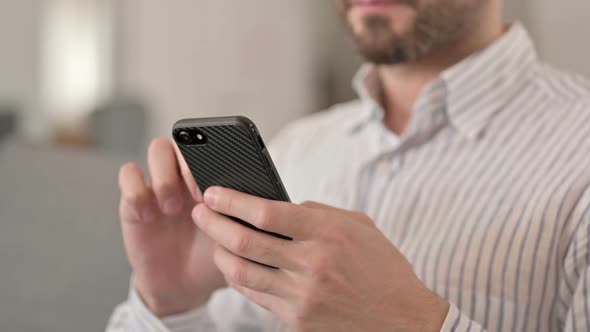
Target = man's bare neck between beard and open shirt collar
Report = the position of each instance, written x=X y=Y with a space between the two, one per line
x=402 y=83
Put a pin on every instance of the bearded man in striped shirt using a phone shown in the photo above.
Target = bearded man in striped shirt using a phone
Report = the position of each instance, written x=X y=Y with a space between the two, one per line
x=469 y=158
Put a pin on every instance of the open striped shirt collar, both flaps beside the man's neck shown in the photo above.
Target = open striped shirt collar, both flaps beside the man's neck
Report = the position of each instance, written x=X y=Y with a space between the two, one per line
x=477 y=87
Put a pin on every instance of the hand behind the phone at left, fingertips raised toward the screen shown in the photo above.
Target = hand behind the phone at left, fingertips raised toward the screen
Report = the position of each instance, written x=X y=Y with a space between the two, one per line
x=171 y=258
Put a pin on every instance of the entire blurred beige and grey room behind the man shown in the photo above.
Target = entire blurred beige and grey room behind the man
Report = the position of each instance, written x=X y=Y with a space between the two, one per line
x=84 y=85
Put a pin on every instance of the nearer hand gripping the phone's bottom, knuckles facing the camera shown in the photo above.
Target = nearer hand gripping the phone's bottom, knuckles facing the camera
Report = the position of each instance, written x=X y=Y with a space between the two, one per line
x=340 y=273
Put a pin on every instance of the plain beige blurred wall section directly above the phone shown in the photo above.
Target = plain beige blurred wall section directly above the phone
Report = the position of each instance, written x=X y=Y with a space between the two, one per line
x=206 y=58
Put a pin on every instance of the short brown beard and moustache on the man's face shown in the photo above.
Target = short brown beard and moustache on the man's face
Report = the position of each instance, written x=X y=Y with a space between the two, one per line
x=434 y=25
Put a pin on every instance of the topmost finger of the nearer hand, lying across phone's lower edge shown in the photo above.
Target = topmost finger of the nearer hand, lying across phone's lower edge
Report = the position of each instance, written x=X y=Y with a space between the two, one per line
x=283 y=218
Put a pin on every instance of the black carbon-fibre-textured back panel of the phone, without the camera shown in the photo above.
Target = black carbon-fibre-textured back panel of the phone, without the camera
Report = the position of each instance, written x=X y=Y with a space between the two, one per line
x=231 y=158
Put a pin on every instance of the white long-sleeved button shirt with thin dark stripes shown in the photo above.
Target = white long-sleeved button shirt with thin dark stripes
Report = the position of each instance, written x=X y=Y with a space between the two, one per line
x=487 y=193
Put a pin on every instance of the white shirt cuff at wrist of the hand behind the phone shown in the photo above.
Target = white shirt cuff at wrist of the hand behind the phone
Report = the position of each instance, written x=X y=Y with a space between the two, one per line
x=194 y=320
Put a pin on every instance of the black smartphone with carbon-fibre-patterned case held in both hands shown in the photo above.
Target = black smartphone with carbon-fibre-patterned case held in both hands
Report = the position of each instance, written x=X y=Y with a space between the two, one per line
x=229 y=152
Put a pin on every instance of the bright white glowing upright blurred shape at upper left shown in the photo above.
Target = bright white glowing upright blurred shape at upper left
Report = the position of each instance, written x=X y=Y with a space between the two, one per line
x=76 y=58
